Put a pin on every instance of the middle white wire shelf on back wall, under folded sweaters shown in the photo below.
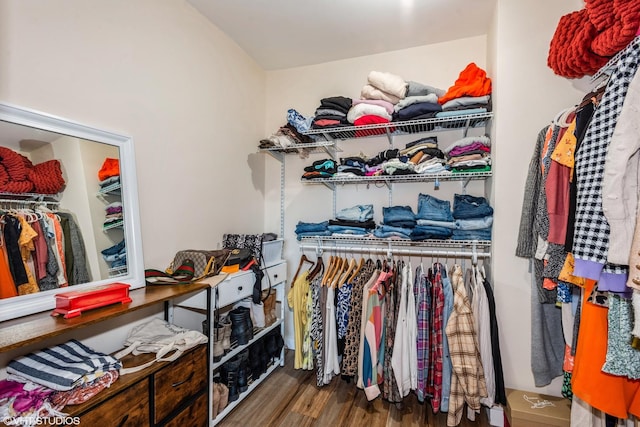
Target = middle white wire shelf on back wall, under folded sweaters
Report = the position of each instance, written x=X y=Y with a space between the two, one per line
x=385 y=179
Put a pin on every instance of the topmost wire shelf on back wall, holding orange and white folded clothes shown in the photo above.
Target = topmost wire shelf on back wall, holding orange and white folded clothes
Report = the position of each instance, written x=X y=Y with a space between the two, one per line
x=404 y=127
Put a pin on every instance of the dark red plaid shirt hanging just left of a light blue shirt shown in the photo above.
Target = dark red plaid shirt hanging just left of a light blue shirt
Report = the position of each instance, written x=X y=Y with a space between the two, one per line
x=437 y=310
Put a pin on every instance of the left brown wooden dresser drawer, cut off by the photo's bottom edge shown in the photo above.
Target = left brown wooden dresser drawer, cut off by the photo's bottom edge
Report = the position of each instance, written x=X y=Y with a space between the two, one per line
x=128 y=408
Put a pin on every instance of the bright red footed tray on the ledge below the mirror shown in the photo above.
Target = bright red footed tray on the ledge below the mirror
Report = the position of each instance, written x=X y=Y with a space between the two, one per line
x=73 y=303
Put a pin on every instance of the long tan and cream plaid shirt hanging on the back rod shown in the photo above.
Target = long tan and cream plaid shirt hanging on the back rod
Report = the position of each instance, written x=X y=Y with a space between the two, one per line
x=467 y=381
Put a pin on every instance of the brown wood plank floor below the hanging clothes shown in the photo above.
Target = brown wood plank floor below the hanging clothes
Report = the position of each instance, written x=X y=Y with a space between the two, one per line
x=290 y=398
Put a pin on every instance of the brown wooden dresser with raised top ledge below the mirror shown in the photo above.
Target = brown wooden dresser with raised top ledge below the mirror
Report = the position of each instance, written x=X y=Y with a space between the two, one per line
x=164 y=394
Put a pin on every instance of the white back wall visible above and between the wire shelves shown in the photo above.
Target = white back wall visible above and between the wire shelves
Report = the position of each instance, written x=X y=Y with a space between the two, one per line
x=303 y=87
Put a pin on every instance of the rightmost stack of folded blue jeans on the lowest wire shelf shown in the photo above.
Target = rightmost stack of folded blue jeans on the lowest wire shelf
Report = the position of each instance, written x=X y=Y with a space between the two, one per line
x=474 y=218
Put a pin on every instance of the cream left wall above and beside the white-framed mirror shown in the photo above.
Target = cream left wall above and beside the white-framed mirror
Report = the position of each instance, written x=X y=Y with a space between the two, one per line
x=158 y=71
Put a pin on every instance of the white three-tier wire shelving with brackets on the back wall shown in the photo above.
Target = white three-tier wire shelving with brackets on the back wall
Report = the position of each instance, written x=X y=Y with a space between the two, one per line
x=329 y=141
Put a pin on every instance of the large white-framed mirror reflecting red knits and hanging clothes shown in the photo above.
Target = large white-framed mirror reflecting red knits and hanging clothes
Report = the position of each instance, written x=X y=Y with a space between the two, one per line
x=79 y=179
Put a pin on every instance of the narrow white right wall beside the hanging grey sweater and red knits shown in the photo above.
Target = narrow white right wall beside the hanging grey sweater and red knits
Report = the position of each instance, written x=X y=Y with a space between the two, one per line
x=527 y=96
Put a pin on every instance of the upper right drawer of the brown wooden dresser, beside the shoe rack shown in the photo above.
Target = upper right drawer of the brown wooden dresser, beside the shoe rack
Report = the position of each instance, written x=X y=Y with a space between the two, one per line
x=179 y=381
